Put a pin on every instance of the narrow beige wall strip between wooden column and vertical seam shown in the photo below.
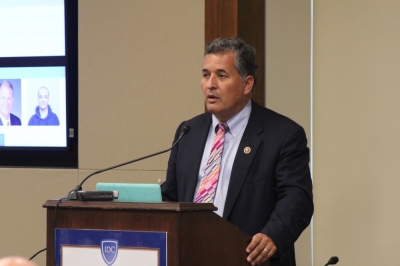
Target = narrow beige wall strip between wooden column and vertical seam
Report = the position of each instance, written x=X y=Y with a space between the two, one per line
x=288 y=75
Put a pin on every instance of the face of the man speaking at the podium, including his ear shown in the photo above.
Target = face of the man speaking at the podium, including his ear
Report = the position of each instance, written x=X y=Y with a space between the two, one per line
x=225 y=93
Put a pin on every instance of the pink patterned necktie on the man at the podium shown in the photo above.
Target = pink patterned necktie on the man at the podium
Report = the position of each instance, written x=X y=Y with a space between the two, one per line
x=209 y=184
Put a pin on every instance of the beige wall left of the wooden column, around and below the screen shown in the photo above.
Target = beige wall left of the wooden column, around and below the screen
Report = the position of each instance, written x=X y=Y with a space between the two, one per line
x=139 y=77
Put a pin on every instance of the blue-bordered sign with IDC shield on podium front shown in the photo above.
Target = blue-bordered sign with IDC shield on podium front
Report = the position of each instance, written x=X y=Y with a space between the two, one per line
x=110 y=247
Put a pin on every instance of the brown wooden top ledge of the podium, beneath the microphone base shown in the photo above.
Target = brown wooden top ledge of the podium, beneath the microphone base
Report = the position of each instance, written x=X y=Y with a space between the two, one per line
x=162 y=206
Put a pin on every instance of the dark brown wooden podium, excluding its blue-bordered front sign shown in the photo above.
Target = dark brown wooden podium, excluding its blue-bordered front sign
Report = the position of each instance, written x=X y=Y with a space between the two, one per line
x=196 y=235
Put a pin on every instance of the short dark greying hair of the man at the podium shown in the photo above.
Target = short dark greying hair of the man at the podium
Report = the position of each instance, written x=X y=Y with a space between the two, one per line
x=245 y=59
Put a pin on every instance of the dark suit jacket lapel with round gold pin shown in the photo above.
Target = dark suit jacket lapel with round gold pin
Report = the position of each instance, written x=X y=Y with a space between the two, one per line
x=243 y=159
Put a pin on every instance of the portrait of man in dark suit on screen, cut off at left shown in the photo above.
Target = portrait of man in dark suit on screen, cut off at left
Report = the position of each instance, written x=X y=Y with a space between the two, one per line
x=10 y=102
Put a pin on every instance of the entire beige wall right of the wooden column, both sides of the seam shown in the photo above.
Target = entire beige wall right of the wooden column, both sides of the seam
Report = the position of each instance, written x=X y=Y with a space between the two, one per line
x=354 y=129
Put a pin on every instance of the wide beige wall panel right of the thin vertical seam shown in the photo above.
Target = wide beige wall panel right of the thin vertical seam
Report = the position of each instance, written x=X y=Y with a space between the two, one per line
x=357 y=131
